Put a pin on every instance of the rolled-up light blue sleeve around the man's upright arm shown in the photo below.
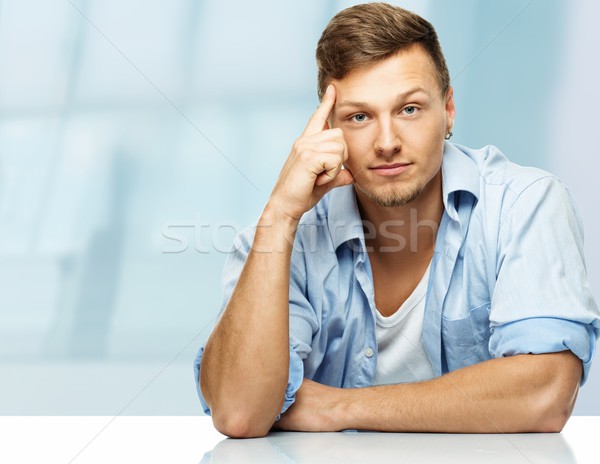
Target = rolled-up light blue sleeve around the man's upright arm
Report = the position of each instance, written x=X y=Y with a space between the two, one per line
x=302 y=318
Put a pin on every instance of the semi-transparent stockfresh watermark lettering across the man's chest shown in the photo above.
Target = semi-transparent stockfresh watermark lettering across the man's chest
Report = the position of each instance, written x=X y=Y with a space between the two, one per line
x=390 y=236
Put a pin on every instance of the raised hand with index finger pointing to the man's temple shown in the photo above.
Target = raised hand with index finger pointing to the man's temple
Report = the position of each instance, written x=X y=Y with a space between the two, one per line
x=314 y=165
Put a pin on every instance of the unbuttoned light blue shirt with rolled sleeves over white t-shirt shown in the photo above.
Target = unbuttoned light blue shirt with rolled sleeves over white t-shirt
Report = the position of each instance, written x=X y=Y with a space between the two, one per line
x=507 y=277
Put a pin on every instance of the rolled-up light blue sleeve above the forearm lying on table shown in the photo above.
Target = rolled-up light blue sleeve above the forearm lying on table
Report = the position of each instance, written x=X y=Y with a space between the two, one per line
x=542 y=302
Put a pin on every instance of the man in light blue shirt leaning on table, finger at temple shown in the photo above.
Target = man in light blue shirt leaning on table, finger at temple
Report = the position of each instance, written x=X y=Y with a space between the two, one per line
x=396 y=281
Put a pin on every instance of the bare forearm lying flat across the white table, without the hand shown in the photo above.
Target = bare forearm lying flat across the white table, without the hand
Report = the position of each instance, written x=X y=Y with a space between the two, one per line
x=505 y=395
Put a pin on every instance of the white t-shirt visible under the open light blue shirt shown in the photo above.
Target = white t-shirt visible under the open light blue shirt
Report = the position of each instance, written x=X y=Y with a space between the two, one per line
x=401 y=357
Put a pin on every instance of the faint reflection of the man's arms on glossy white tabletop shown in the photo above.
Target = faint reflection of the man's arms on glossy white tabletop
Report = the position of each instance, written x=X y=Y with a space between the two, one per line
x=344 y=447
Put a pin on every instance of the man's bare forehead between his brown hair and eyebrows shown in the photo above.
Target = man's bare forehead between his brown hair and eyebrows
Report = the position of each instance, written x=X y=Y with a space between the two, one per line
x=408 y=69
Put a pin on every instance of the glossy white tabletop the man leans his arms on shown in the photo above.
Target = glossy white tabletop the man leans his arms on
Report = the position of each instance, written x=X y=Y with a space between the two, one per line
x=193 y=440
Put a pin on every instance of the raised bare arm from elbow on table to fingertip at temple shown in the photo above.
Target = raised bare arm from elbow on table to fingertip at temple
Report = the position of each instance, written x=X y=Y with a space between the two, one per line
x=245 y=365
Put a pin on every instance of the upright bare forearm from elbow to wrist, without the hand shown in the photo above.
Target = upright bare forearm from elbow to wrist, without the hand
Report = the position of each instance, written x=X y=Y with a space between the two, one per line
x=245 y=364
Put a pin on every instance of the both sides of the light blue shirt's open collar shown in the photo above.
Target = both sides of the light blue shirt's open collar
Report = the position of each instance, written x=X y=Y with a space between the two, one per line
x=459 y=173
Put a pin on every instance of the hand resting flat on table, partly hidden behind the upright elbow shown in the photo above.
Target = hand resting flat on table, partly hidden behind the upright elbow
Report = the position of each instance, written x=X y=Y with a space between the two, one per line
x=316 y=409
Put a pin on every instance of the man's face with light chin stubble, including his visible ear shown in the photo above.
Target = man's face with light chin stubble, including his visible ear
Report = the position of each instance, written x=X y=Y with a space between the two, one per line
x=394 y=120
